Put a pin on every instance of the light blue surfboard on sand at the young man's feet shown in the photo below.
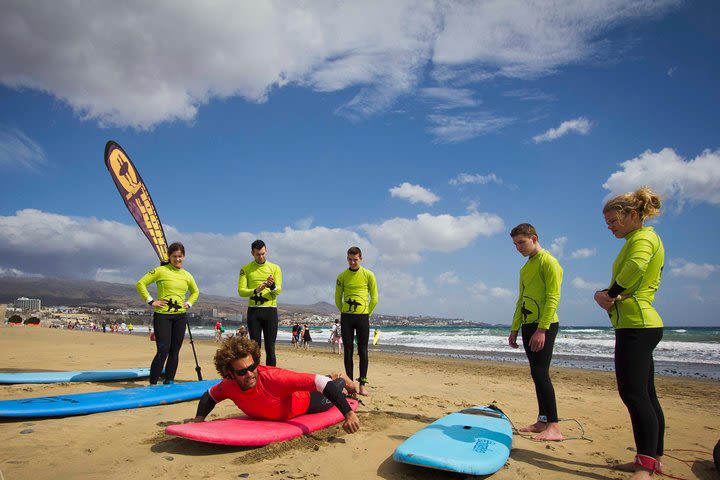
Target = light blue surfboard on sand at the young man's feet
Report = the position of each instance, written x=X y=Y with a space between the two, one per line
x=476 y=441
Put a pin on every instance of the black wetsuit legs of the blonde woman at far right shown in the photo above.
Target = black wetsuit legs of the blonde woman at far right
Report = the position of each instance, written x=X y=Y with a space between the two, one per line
x=635 y=373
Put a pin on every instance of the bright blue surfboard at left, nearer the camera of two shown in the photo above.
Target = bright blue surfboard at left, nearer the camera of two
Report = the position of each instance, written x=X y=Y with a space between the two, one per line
x=83 y=403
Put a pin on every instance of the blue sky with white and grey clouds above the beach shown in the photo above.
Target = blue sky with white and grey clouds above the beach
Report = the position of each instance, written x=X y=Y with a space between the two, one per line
x=421 y=131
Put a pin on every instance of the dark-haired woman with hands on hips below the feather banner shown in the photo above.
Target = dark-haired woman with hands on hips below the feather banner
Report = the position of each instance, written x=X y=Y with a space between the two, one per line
x=169 y=322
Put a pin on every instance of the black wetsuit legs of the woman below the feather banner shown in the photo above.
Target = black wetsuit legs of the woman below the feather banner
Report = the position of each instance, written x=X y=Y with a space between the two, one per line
x=169 y=335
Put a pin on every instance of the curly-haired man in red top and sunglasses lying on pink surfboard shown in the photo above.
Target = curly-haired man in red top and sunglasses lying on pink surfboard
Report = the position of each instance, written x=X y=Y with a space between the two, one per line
x=271 y=393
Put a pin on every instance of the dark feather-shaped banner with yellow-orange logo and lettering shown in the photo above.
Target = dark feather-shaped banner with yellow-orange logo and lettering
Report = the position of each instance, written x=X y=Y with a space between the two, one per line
x=136 y=197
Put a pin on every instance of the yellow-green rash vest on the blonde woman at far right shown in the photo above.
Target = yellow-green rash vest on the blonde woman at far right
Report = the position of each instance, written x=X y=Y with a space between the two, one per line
x=637 y=269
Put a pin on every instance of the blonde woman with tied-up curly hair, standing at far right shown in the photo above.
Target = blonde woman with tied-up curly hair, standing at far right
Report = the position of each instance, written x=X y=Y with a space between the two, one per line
x=638 y=327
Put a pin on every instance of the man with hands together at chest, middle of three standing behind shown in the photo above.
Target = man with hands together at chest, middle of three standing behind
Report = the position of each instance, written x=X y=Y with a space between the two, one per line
x=260 y=282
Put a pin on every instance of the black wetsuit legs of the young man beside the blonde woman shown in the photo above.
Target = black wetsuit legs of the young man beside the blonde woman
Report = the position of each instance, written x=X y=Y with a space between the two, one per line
x=540 y=370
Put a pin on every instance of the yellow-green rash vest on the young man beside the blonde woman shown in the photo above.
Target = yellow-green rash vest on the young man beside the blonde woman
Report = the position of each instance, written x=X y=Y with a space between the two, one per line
x=540 y=282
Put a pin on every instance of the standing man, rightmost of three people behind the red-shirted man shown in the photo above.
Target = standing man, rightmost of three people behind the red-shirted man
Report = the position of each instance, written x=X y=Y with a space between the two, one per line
x=352 y=289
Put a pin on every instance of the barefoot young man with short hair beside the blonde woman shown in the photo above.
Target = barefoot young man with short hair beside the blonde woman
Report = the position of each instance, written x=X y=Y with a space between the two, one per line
x=536 y=311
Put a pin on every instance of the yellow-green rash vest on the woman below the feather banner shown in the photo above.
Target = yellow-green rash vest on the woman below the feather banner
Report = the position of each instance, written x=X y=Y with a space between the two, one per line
x=172 y=285
